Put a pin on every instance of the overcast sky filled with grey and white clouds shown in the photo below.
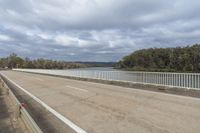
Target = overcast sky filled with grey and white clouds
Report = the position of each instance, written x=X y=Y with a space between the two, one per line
x=95 y=30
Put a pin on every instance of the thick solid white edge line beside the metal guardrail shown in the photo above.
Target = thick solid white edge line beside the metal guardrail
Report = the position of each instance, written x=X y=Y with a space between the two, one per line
x=58 y=115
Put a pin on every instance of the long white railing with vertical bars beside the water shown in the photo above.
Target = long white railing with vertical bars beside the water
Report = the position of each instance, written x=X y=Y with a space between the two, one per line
x=181 y=80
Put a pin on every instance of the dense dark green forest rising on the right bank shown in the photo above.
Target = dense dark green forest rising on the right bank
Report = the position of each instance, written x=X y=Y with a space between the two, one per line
x=179 y=59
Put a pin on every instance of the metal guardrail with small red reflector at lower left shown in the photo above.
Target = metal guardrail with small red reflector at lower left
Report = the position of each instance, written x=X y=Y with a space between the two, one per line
x=22 y=113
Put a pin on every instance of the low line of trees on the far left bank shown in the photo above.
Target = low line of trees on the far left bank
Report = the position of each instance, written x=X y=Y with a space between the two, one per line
x=14 y=61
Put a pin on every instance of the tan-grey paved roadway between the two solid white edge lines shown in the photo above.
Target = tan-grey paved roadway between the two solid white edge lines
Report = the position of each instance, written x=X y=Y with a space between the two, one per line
x=100 y=108
